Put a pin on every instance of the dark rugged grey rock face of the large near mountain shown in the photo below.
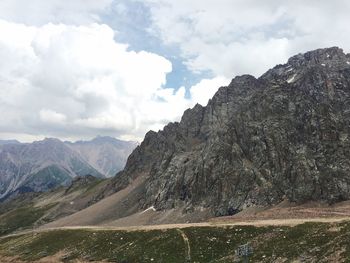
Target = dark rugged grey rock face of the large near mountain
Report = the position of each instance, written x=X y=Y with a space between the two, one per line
x=257 y=142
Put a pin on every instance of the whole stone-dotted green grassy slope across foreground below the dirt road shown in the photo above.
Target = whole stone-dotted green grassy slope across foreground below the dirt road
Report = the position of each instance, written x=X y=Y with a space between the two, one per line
x=311 y=242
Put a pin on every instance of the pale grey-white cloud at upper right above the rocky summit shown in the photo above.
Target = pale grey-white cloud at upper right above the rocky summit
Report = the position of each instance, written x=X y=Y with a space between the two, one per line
x=231 y=37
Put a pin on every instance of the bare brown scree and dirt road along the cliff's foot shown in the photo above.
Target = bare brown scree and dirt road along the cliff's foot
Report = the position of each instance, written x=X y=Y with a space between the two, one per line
x=97 y=216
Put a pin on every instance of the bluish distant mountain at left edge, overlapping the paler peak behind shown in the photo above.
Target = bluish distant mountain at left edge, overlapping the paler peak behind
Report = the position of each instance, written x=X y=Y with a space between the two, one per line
x=39 y=166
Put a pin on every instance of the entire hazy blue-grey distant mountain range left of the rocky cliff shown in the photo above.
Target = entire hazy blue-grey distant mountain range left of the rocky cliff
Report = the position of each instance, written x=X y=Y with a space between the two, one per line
x=42 y=165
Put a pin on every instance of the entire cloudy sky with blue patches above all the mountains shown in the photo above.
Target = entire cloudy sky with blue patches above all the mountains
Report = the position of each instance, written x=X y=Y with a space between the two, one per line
x=80 y=68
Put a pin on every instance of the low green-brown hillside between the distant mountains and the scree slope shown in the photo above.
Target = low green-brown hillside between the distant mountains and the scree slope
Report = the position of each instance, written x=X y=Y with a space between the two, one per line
x=32 y=209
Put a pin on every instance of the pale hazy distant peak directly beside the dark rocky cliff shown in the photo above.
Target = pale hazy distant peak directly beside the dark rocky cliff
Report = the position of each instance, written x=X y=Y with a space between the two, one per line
x=106 y=154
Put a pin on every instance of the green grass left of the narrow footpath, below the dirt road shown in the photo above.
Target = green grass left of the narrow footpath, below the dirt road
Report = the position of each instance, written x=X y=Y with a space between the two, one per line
x=116 y=246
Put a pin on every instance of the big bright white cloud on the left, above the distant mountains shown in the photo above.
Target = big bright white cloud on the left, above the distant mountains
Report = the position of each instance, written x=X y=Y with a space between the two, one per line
x=76 y=81
